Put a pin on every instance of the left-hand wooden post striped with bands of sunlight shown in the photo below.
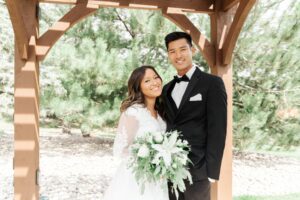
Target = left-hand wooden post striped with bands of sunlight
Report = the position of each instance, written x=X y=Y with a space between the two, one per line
x=26 y=116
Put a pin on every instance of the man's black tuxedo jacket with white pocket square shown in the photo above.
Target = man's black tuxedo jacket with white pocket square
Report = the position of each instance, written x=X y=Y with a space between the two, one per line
x=202 y=122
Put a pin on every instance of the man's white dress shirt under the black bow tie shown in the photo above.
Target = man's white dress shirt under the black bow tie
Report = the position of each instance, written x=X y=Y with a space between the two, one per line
x=179 y=88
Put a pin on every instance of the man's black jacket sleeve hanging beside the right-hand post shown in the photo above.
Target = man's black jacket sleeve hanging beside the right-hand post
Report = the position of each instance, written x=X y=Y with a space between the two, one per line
x=216 y=126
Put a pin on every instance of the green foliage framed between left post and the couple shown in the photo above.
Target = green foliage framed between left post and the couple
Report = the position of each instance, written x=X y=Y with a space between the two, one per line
x=94 y=60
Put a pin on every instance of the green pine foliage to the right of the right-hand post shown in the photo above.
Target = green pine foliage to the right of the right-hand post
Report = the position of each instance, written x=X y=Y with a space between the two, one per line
x=267 y=77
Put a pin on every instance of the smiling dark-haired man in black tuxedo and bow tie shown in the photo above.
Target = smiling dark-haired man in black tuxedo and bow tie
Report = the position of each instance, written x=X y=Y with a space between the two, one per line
x=196 y=105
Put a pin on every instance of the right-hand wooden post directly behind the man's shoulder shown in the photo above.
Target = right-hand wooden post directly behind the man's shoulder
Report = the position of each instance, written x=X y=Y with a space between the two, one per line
x=220 y=23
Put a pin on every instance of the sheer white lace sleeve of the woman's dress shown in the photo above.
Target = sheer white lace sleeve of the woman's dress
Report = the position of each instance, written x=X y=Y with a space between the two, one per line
x=127 y=128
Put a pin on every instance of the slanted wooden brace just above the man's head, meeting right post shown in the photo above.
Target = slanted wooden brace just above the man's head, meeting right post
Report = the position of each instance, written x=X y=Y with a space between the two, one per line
x=181 y=20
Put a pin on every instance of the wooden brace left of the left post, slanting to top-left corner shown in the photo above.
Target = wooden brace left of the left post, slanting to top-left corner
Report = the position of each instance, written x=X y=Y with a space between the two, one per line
x=21 y=36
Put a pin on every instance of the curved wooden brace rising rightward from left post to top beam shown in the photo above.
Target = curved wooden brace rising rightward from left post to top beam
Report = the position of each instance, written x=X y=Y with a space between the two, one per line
x=49 y=38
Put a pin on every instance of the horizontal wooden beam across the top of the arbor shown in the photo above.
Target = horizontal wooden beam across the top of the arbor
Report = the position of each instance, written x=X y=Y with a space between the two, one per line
x=202 y=6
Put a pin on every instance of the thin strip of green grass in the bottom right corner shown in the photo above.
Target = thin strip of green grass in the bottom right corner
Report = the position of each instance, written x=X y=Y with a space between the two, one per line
x=295 y=196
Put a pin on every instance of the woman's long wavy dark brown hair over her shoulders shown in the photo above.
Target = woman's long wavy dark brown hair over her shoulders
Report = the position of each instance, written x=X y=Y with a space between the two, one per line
x=135 y=95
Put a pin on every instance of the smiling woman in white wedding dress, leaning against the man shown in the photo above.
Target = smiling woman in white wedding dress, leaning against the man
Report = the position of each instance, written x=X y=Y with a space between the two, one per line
x=141 y=113
